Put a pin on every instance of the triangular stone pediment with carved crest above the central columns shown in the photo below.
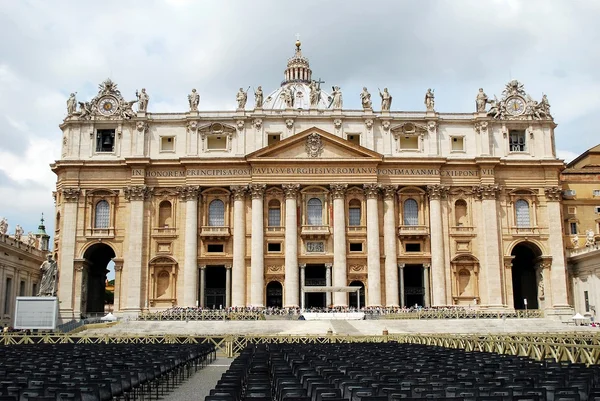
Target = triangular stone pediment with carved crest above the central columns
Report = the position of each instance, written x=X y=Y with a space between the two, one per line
x=314 y=144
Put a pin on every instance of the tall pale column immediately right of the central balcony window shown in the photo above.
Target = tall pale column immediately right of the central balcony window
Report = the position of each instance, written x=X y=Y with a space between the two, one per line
x=340 y=273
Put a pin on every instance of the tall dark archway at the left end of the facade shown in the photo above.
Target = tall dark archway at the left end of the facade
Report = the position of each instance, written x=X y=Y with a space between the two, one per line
x=93 y=291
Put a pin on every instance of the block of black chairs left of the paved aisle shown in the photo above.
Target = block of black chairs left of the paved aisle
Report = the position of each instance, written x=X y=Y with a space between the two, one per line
x=97 y=372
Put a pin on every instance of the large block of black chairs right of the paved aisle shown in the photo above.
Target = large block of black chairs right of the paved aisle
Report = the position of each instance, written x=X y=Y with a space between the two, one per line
x=394 y=372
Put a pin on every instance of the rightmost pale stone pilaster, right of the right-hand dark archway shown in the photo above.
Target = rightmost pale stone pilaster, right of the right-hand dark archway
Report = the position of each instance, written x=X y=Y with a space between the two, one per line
x=558 y=271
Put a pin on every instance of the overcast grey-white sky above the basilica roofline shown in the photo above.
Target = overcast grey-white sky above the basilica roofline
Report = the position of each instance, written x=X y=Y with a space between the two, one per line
x=51 y=48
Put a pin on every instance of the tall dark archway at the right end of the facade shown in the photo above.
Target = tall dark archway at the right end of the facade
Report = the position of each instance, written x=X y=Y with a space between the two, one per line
x=524 y=278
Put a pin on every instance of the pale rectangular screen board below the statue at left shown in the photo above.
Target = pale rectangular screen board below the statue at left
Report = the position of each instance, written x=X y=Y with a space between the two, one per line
x=36 y=313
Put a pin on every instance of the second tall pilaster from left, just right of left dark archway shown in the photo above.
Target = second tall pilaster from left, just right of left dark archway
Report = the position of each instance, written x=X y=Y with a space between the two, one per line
x=136 y=195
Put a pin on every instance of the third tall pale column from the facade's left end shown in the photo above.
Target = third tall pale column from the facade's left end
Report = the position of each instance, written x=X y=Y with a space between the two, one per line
x=189 y=195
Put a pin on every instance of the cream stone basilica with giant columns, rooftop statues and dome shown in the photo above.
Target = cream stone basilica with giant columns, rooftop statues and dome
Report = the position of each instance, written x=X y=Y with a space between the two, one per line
x=254 y=206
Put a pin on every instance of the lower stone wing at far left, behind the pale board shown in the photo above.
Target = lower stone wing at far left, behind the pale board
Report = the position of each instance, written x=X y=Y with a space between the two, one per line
x=20 y=259
